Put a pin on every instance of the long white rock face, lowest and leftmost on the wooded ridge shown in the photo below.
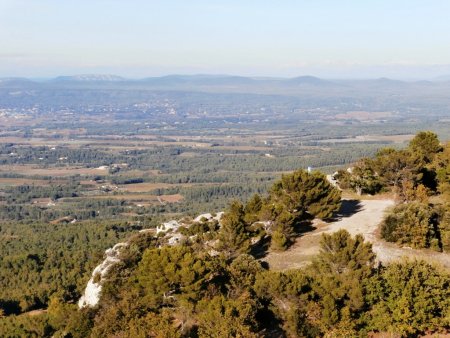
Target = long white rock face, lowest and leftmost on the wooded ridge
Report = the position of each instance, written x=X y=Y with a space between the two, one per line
x=91 y=294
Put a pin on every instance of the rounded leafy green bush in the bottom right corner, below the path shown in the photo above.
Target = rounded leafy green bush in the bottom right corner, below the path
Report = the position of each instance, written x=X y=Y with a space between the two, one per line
x=414 y=298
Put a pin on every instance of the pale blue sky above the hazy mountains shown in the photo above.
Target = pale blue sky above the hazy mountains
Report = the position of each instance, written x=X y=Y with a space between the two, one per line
x=283 y=38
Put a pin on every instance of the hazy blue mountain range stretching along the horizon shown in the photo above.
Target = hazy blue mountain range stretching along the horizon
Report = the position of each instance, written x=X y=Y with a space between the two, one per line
x=295 y=86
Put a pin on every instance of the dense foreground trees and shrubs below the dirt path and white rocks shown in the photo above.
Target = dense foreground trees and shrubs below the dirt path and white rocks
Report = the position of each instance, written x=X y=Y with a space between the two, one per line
x=184 y=292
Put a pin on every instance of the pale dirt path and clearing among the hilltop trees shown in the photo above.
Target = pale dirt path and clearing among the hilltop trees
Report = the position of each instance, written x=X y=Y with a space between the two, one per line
x=357 y=217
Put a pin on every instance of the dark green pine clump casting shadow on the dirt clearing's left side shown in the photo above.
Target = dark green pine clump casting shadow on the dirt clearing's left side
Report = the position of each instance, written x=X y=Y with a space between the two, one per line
x=291 y=202
